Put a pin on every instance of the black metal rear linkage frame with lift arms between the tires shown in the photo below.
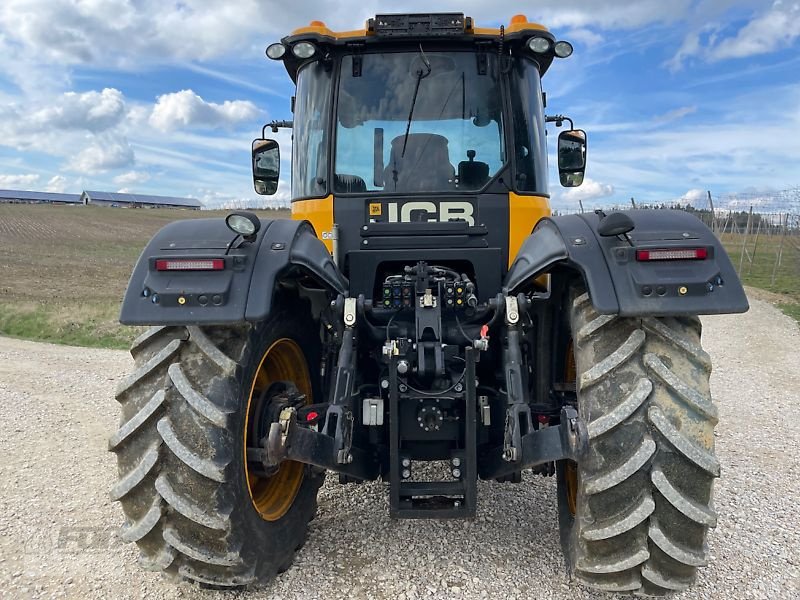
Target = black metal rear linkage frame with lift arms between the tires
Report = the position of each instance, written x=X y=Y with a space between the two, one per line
x=331 y=447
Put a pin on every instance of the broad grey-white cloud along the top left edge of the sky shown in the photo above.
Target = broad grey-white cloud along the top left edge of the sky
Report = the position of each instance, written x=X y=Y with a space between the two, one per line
x=122 y=33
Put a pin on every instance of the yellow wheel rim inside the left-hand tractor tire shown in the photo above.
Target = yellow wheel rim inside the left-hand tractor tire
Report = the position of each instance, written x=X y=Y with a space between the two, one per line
x=272 y=497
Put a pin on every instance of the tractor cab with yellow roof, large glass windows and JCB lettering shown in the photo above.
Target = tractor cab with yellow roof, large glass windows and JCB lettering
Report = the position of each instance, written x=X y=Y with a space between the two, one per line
x=419 y=132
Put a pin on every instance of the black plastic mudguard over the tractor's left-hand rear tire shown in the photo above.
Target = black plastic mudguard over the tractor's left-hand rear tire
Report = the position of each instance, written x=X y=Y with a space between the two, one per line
x=241 y=292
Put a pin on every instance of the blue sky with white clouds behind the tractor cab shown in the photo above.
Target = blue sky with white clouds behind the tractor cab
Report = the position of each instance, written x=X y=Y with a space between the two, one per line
x=164 y=97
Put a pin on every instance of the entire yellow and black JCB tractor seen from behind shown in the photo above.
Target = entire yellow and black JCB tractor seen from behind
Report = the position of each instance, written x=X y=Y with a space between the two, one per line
x=422 y=320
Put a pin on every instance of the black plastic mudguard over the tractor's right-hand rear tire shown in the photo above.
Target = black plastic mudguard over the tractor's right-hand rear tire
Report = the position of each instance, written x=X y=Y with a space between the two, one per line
x=619 y=284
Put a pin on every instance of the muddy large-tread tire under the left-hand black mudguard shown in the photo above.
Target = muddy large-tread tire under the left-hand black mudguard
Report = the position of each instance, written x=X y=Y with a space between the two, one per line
x=180 y=447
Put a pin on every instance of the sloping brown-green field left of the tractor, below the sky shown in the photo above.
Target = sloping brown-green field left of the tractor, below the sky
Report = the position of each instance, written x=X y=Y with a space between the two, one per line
x=64 y=269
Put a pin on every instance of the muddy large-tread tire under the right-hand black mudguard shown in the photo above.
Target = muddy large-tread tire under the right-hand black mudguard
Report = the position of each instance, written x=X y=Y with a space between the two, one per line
x=643 y=500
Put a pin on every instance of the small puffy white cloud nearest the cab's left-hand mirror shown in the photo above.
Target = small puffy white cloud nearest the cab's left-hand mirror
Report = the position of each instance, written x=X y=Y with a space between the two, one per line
x=186 y=109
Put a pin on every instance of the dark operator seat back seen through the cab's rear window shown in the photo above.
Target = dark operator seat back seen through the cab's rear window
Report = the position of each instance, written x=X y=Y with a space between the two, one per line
x=424 y=166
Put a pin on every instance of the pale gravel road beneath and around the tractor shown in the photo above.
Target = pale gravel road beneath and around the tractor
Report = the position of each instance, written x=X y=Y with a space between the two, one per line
x=58 y=528
